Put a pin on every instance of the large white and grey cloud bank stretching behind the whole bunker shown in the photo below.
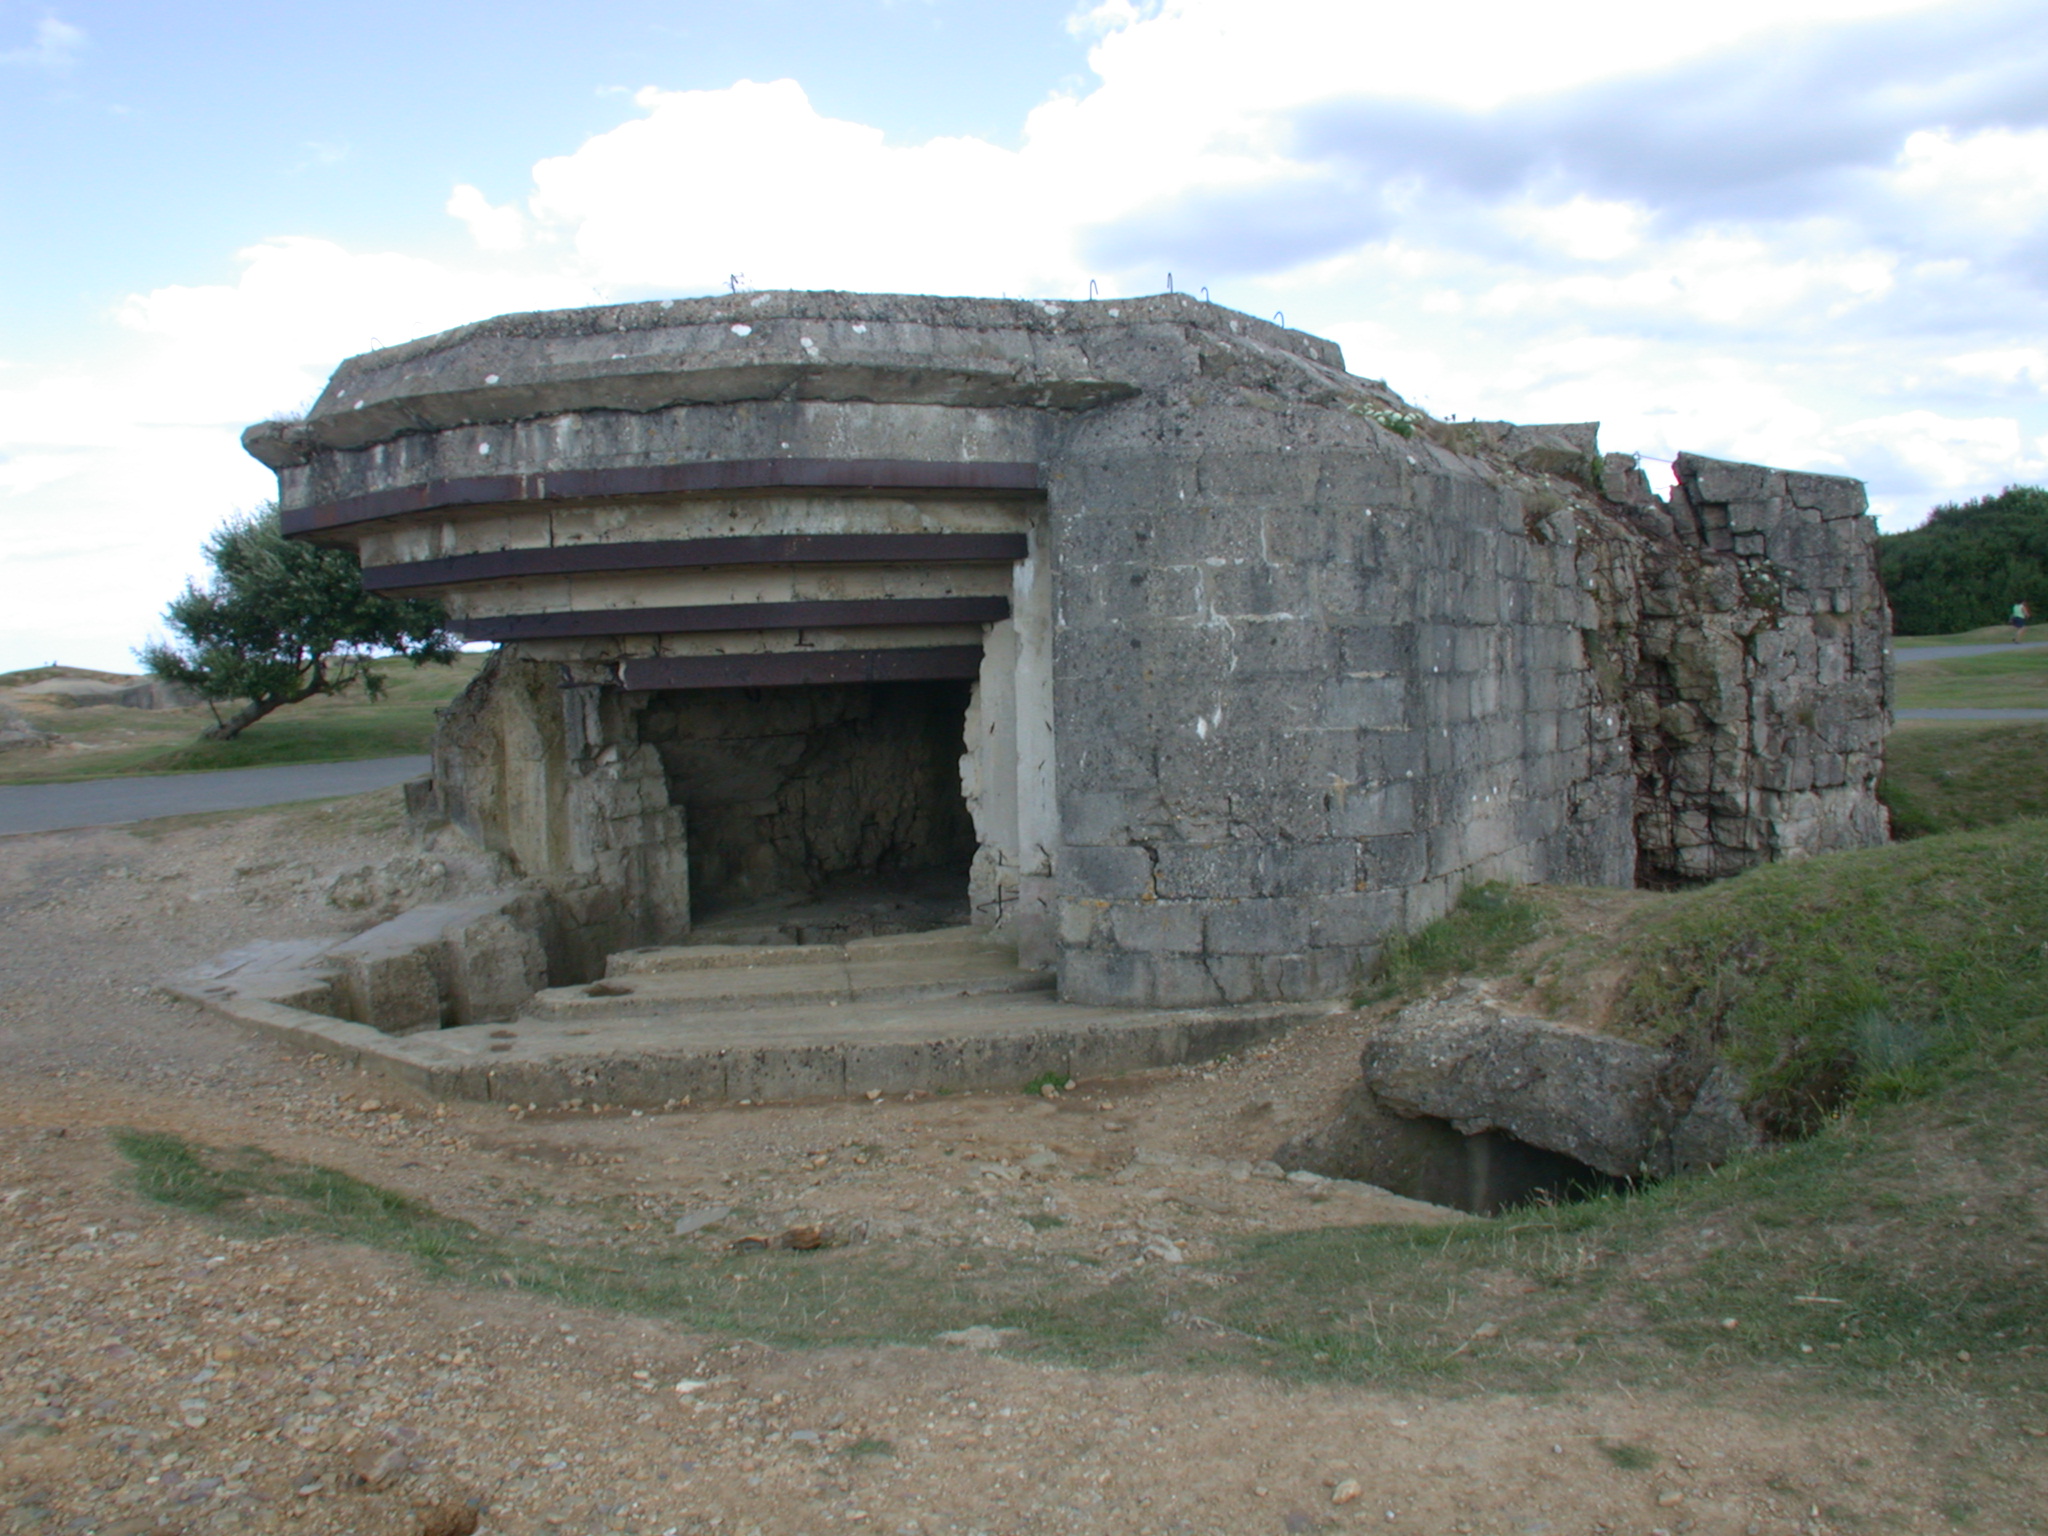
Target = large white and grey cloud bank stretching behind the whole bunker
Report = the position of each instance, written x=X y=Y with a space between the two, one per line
x=1811 y=232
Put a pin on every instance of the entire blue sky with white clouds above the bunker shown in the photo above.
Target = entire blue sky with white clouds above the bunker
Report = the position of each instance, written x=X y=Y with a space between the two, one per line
x=1801 y=232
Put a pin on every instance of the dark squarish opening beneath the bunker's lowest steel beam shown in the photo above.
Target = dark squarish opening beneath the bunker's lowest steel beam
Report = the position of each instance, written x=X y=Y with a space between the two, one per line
x=820 y=812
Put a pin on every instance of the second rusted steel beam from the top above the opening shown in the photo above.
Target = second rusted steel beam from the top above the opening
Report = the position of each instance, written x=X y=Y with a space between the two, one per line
x=681 y=554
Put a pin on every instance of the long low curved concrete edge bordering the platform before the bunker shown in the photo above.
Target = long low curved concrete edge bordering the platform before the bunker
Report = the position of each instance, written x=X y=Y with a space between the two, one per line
x=771 y=1072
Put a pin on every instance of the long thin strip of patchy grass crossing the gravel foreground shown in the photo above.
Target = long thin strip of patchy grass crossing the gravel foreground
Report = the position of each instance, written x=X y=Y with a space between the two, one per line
x=1844 y=1261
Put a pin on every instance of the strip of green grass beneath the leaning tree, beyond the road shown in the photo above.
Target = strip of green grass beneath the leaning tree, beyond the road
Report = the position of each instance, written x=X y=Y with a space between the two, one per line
x=120 y=742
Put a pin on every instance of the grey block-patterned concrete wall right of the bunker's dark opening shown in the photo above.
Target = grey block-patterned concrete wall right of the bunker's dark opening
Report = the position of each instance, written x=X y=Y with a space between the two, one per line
x=1312 y=677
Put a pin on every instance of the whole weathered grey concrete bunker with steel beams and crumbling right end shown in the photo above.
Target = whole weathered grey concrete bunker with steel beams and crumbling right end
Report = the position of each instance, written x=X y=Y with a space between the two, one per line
x=1242 y=663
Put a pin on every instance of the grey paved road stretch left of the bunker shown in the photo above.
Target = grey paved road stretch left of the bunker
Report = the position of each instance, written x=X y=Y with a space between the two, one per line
x=112 y=802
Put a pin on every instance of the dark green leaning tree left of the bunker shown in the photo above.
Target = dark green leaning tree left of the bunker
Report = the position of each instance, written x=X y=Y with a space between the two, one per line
x=286 y=622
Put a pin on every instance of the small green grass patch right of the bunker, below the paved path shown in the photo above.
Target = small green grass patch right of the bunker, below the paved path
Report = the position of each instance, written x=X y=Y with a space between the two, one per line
x=1965 y=777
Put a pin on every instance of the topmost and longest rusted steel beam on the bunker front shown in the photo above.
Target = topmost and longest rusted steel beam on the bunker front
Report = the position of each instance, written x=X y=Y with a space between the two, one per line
x=708 y=478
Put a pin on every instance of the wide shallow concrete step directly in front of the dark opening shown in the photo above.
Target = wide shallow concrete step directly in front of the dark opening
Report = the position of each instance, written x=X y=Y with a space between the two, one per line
x=716 y=980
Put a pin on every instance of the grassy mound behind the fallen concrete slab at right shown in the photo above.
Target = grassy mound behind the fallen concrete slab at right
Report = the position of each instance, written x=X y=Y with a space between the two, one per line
x=1854 y=976
